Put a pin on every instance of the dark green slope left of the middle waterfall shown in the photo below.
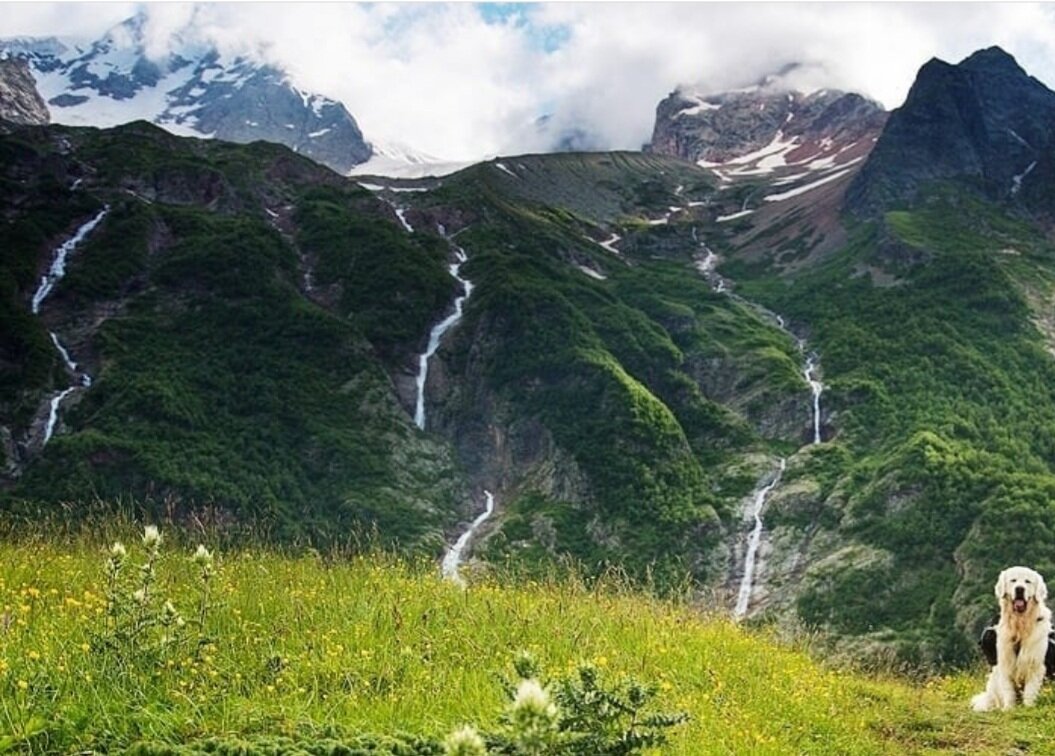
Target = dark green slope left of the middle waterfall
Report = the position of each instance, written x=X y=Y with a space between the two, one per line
x=222 y=389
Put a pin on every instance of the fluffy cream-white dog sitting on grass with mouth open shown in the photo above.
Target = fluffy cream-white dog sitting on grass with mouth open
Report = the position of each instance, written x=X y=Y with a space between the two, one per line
x=1022 y=642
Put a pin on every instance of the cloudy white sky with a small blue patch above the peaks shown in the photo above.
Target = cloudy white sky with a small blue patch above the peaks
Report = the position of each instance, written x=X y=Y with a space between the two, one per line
x=465 y=81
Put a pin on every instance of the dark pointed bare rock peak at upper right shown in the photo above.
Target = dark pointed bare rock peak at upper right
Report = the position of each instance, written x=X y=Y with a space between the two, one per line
x=985 y=120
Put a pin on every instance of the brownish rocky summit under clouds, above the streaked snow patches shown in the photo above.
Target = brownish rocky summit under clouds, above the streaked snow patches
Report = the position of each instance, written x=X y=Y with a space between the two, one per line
x=719 y=128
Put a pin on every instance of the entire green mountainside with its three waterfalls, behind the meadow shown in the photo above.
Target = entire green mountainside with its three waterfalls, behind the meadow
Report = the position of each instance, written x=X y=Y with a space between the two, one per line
x=714 y=377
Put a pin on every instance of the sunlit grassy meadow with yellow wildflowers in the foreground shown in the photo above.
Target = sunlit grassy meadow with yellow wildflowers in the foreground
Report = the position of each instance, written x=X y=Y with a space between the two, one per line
x=305 y=648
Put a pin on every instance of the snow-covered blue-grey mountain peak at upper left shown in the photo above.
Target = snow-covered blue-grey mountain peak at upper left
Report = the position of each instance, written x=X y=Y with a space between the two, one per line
x=193 y=91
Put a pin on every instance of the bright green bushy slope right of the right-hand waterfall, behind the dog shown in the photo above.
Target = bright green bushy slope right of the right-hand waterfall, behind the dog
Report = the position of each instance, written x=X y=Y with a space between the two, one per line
x=943 y=383
